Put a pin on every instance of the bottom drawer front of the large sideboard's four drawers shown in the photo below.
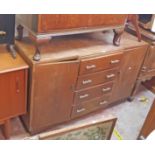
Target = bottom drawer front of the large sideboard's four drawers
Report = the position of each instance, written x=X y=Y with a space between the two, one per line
x=92 y=105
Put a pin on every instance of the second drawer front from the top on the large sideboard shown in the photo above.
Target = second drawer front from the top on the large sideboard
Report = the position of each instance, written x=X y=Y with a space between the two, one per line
x=89 y=80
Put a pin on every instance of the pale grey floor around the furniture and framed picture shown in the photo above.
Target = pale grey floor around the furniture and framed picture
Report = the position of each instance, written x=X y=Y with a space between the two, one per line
x=131 y=116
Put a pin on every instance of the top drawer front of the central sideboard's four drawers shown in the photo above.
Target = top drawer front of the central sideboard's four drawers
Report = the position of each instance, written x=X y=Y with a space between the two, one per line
x=100 y=63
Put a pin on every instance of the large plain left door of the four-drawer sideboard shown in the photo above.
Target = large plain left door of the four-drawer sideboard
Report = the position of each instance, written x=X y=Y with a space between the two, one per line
x=53 y=92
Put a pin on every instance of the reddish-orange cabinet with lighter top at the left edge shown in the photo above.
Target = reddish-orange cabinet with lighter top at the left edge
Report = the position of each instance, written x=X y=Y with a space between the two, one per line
x=13 y=88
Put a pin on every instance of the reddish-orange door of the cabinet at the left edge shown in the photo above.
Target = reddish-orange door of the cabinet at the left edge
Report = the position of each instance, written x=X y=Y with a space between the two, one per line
x=12 y=94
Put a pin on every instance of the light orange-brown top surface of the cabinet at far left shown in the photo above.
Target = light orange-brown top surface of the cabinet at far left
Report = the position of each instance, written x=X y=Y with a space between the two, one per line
x=8 y=64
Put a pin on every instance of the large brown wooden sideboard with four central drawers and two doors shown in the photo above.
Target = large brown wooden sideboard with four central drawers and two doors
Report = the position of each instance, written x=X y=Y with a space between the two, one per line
x=77 y=75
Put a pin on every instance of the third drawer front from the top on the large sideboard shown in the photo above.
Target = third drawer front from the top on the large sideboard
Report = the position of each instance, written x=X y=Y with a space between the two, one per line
x=93 y=92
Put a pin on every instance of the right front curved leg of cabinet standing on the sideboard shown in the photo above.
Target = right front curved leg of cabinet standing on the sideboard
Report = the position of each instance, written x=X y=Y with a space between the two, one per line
x=117 y=36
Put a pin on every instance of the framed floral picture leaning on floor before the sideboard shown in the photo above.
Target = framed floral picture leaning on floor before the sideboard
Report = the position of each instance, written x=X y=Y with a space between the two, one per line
x=100 y=130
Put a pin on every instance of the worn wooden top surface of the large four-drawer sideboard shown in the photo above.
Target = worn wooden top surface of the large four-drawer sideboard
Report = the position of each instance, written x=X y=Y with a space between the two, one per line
x=77 y=46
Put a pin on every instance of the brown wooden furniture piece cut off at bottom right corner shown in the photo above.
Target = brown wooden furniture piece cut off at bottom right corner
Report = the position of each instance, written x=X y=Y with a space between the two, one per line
x=149 y=124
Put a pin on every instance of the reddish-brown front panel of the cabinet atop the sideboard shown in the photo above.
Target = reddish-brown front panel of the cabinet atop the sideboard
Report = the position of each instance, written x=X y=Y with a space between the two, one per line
x=51 y=22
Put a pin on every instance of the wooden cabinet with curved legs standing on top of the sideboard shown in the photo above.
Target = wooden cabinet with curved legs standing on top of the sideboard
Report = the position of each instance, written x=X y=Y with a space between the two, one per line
x=43 y=27
